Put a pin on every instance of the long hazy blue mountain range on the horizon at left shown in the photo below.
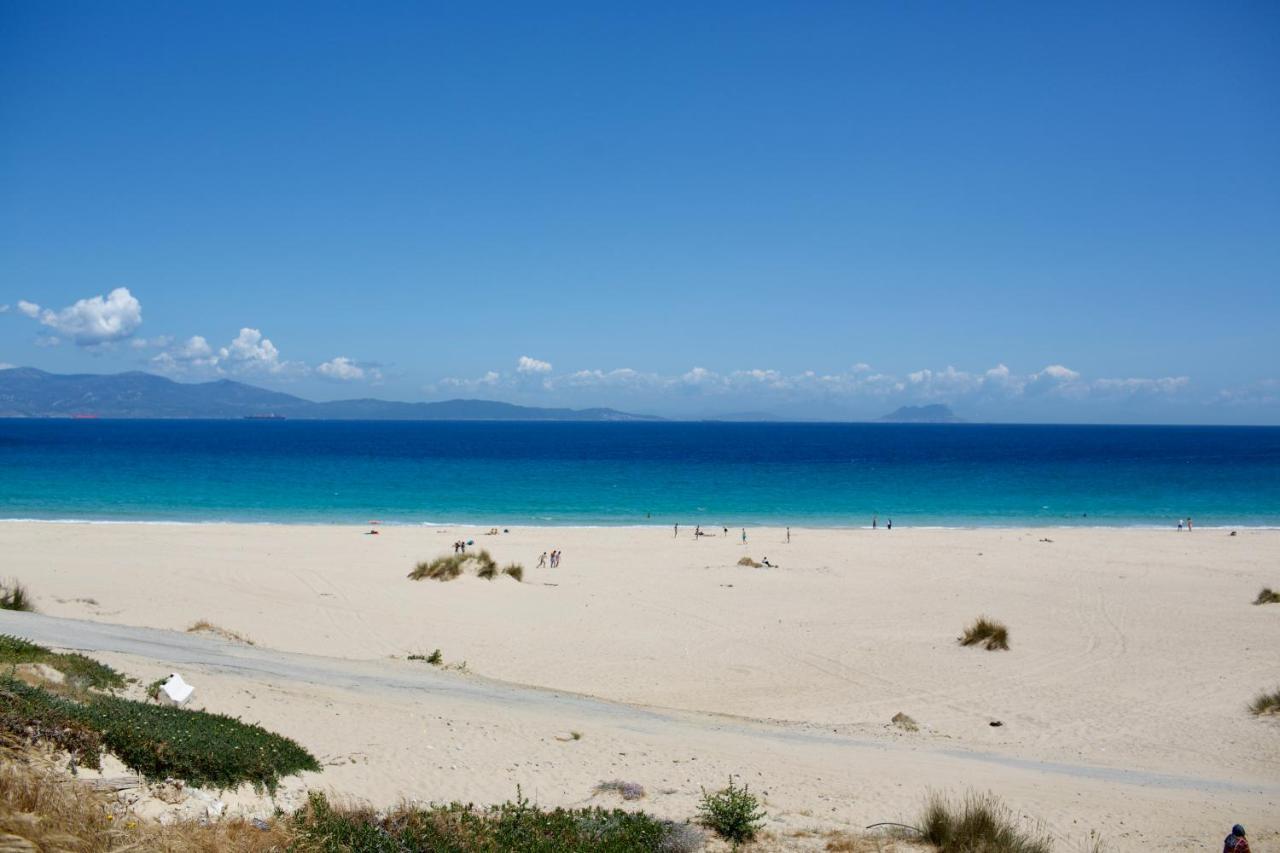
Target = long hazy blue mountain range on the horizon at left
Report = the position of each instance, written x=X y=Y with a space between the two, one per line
x=28 y=393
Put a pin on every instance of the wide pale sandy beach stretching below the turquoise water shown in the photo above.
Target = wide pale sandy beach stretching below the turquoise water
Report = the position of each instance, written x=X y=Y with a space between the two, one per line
x=1122 y=700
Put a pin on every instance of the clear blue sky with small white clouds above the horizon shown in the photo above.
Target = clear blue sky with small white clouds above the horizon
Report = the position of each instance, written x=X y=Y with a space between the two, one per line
x=1031 y=212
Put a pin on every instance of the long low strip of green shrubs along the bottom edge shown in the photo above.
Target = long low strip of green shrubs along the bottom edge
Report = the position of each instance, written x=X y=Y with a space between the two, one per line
x=514 y=827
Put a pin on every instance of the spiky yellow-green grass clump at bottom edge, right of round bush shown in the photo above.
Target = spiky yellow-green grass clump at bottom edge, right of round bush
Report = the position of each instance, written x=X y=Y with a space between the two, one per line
x=980 y=823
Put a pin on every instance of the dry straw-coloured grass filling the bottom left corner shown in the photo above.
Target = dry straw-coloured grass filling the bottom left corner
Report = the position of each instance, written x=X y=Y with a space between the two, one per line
x=43 y=806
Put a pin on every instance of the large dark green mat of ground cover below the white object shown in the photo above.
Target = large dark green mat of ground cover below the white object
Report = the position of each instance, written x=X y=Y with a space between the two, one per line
x=204 y=750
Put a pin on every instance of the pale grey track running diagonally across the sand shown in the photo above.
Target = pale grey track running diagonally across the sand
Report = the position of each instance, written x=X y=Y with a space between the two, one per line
x=173 y=647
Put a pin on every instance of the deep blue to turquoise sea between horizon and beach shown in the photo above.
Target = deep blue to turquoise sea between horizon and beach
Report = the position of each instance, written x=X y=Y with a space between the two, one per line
x=638 y=473
